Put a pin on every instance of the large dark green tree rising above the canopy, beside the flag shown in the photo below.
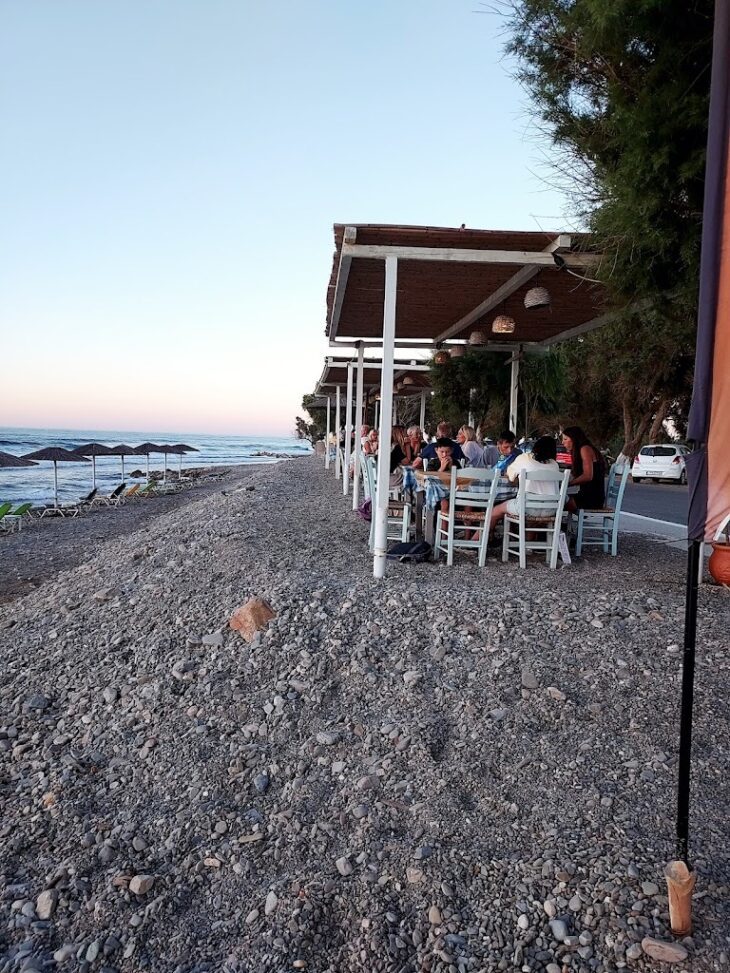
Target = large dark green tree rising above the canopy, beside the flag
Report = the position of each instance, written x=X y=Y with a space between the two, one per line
x=621 y=88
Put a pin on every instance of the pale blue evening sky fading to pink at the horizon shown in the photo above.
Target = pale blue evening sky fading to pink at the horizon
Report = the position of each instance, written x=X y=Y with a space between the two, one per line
x=170 y=171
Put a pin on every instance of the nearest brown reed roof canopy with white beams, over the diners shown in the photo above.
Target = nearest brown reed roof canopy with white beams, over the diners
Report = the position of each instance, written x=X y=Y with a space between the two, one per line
x=455 y=281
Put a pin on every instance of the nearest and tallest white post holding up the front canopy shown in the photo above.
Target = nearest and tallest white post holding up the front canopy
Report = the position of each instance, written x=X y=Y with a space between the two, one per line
x=386 y=414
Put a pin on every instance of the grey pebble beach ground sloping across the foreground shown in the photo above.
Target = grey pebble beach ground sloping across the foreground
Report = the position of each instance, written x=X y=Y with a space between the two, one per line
x=452 y=771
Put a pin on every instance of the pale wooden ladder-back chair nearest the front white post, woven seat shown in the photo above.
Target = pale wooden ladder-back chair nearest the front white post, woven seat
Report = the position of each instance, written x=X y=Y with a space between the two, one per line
x=470 y=510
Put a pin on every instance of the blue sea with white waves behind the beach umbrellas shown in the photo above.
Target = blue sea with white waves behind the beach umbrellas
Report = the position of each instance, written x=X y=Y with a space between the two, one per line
x=35 y=484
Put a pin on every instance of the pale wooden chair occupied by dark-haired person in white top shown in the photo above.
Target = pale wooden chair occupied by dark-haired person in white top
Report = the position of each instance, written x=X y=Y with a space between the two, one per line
x=538 y=514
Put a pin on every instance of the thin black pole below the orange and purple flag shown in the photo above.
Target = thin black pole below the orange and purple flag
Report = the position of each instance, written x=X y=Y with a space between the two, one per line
x=688 y=674
